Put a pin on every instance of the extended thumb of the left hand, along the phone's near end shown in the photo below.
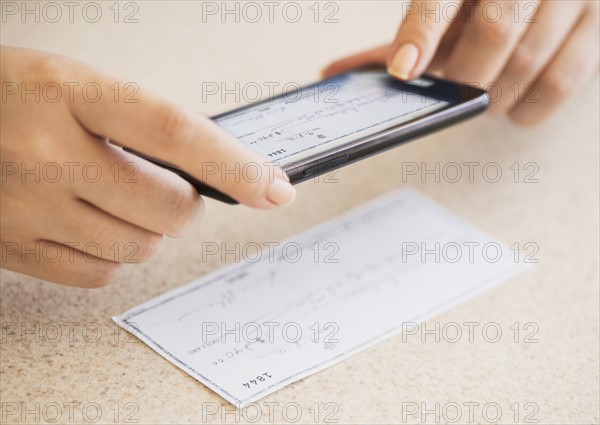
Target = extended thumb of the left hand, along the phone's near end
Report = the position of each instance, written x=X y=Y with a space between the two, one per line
x=193 y=143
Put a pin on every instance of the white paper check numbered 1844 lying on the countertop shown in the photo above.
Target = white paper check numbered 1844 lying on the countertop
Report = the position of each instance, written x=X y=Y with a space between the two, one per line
x=295 y=308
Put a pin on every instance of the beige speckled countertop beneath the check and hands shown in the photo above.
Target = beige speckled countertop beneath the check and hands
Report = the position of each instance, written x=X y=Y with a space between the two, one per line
x=61 y=348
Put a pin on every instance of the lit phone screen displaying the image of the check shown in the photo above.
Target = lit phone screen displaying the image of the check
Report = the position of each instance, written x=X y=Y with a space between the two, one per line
x=328 y=114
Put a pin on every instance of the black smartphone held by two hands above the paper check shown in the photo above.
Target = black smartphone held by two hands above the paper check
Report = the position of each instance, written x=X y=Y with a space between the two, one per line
x=314 y=129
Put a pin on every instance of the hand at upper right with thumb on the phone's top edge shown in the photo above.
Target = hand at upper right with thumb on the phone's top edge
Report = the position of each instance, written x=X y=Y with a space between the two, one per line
x=530 y=55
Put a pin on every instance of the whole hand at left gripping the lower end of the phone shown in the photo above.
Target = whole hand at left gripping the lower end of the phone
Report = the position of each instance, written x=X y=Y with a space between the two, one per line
x=74 y=206
